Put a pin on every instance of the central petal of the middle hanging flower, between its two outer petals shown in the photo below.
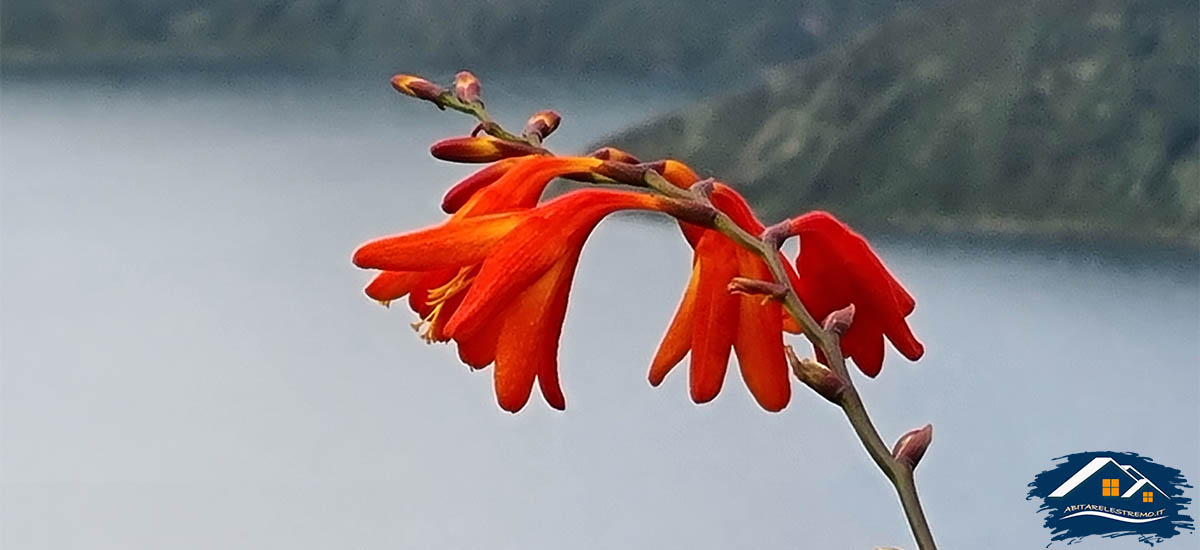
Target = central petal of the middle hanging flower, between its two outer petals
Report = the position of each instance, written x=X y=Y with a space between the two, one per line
x=716 y=320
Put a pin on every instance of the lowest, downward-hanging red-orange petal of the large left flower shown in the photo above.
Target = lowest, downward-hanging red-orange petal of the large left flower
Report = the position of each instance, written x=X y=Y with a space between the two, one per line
x=529 y=344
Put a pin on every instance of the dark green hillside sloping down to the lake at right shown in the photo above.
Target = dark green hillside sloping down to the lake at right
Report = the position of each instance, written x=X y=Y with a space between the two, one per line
x=1066 y=119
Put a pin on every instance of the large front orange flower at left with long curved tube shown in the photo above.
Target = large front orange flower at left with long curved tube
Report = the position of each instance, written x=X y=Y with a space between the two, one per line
x=523 y=265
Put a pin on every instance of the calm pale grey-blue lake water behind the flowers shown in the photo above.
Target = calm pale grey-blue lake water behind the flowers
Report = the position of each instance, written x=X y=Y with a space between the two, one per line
x=188 y=361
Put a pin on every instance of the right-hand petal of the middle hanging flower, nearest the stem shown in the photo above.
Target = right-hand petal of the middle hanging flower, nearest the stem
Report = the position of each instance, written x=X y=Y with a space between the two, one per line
x=760 y=343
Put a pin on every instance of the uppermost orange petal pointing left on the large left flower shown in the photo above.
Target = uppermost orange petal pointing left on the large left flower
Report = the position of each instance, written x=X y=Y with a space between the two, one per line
x=455 y=243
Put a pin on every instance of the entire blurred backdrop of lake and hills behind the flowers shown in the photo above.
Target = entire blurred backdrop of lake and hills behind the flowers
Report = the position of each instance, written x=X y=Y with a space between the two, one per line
x=187 y=360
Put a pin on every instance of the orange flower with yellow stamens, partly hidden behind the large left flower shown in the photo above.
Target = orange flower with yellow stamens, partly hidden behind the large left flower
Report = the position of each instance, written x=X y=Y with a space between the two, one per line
x=506 y=187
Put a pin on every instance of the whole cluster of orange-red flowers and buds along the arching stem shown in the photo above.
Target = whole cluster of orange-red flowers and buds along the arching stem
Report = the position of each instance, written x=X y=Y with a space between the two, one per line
x=495 y=277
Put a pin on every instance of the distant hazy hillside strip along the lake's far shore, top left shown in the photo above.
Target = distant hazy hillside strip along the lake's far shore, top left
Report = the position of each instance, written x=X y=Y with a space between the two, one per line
x=674 y=39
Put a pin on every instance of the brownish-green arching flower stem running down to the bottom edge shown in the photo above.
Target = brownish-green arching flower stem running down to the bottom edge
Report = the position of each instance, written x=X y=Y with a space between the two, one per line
x=899 y=474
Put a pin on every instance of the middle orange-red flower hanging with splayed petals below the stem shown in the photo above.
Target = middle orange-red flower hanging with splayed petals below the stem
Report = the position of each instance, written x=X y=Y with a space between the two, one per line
x=711 y=321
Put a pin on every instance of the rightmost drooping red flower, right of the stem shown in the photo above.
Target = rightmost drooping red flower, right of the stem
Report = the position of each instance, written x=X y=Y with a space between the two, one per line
x=837 y=267
